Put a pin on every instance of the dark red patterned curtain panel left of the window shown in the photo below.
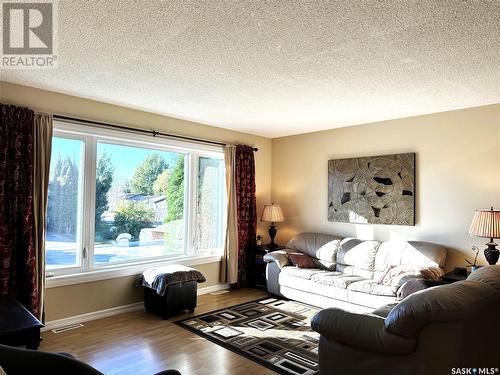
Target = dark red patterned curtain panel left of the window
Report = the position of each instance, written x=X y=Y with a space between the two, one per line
x=17 y=250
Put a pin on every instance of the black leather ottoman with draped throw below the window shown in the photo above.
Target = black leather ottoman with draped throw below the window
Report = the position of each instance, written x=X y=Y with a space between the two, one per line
x=169 y=290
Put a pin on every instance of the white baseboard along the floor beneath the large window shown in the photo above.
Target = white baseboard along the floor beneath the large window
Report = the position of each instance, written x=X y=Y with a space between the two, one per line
x=58 y=323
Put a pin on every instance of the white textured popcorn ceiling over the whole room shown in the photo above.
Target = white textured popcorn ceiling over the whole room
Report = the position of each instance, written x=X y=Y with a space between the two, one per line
x=276 y=68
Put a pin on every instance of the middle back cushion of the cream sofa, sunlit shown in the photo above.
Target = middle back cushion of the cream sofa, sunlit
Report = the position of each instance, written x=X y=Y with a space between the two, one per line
x=357 y=257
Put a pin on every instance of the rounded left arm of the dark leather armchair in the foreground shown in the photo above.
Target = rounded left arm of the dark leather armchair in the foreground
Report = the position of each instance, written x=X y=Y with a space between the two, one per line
x=361 y=331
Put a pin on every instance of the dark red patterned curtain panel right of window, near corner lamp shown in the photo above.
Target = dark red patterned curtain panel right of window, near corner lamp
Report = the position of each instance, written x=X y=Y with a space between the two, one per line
x=246 y=206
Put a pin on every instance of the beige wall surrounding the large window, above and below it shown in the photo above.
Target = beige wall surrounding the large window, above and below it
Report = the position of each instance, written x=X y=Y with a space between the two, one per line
x=79 y=299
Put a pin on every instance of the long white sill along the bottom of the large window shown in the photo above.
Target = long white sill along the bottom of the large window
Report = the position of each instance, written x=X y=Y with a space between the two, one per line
x=87 y=277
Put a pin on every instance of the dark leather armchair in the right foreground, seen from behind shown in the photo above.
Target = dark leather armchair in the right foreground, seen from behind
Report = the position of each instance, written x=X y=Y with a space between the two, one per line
x=429 y=332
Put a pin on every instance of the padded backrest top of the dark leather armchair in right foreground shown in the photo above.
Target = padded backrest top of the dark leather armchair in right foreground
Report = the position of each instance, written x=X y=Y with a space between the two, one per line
x=451 y=302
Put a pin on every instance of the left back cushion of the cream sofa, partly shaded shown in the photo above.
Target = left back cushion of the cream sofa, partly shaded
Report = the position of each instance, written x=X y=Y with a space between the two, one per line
x=322 y=247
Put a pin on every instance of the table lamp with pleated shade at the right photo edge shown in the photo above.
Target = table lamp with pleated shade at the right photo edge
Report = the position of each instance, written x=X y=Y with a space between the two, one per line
x=486 y=223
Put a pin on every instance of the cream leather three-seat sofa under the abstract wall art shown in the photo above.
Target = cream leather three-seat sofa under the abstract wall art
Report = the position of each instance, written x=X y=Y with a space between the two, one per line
x=348 y=272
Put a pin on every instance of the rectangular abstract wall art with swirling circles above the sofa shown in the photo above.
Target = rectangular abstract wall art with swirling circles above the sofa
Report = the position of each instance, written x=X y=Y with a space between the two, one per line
x=372 y=190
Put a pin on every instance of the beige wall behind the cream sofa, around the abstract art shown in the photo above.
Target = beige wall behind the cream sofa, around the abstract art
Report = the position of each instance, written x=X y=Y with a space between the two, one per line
x=458 y=170
